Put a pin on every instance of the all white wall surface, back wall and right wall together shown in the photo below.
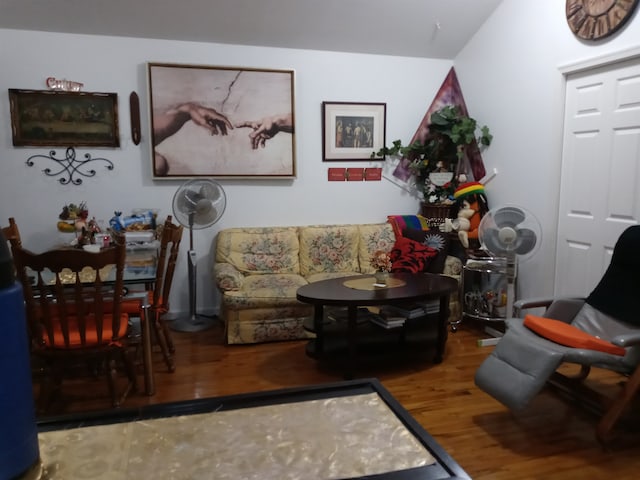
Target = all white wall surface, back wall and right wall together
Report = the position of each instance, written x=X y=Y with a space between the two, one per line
x=510 y=77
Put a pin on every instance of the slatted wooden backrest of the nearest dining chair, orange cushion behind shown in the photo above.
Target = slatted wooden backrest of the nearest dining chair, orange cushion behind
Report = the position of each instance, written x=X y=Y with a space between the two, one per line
x=74 y=301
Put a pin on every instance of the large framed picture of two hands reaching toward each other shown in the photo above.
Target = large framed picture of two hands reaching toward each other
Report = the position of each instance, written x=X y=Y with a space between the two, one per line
x=221 y=121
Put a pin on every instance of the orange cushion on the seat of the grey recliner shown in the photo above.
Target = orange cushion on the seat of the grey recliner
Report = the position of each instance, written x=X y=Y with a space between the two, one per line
x=569 y=336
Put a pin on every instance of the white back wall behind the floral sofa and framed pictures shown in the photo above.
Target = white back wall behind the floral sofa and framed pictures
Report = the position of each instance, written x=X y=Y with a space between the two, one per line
x=110 y=64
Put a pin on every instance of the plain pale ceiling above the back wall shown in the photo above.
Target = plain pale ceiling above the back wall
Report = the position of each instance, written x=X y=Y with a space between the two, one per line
x=415 y=28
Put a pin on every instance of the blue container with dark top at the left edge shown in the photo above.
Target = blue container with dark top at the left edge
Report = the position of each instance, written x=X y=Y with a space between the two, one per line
x=19 y=449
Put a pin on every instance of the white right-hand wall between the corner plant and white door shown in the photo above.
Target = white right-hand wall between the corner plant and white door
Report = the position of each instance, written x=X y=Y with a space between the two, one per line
x=510 y=75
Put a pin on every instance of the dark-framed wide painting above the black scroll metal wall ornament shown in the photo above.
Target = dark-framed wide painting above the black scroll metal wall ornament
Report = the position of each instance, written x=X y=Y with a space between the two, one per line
x=69 y=119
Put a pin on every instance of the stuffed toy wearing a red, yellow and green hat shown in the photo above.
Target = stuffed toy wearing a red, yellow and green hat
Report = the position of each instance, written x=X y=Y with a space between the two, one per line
x=472 y=205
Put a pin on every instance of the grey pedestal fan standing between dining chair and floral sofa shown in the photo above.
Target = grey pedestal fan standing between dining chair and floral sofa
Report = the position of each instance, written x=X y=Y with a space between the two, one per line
x=197 y=204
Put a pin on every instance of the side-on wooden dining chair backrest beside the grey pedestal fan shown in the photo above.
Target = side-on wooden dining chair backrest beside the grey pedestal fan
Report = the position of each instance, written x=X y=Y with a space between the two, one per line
x=170 y=239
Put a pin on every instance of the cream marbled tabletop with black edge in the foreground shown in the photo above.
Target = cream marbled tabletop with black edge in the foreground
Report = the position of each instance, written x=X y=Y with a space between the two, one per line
x=336 y=437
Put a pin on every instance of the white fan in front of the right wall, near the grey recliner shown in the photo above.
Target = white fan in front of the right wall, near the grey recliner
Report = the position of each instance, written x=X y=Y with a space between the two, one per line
x=512 y=233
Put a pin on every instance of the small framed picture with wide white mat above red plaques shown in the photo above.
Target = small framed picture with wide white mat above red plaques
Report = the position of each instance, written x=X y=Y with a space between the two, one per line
x=351 y=131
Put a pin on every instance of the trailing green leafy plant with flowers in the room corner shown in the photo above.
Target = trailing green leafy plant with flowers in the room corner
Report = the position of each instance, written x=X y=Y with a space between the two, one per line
x=434 y=162
